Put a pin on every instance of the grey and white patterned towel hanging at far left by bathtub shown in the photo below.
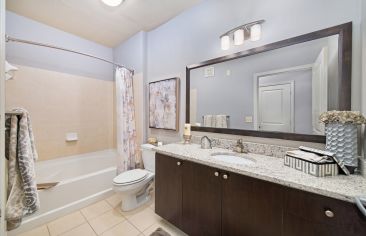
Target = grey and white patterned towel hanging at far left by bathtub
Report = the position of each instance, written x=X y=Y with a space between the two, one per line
x=21 y=152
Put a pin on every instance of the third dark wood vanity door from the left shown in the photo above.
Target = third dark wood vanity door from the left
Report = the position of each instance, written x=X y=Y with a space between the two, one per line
x=251 y=207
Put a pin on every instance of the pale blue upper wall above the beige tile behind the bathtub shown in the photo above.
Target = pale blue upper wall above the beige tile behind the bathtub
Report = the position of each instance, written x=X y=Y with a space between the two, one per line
x=25 y=28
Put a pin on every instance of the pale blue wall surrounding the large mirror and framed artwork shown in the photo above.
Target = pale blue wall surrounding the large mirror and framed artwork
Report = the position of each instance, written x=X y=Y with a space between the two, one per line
x=193 y=36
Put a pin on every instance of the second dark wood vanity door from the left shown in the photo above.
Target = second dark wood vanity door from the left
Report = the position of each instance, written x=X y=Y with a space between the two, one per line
x=201 y=200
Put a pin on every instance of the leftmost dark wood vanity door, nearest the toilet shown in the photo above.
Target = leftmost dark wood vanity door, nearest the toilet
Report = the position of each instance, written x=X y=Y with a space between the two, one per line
x=168 y=188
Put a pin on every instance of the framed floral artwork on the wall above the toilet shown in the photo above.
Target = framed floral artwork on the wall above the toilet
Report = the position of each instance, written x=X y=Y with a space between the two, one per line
x=163 y=104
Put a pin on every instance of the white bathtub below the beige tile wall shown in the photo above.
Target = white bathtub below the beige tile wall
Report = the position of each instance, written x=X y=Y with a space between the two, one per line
x=83 y=179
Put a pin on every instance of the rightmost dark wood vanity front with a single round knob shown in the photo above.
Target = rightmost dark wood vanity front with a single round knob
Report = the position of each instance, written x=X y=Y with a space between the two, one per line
x=306 y=214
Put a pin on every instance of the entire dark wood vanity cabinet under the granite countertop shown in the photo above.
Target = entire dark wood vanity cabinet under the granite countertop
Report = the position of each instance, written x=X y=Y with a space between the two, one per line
x=210 y=201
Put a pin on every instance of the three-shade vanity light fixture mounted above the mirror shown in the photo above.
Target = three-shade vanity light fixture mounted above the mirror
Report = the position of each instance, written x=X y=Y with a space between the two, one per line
x=252 y=30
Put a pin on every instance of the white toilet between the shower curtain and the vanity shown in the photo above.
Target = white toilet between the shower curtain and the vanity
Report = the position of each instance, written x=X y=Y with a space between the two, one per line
x=133 y=185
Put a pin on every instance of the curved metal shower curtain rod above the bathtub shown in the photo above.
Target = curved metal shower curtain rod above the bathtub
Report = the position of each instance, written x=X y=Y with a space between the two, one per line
x=11 y=39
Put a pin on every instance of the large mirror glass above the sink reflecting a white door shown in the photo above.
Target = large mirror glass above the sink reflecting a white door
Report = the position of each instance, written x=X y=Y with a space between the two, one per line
x=281 y=90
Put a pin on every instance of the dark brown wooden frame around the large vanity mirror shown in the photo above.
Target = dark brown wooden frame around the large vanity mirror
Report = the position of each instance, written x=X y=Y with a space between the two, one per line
x=344 y=31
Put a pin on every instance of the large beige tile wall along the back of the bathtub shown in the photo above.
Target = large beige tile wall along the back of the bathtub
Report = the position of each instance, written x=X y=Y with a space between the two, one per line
x=61 y=103
